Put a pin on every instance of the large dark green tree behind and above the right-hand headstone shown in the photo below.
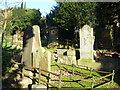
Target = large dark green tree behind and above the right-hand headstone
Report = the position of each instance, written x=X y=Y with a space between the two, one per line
x=68 y=15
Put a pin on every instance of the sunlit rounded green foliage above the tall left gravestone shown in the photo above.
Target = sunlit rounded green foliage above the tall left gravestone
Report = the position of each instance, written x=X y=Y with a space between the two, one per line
x=21 y=18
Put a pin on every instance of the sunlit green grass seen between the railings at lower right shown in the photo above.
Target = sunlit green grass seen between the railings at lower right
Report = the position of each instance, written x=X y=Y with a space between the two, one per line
x=74 y=79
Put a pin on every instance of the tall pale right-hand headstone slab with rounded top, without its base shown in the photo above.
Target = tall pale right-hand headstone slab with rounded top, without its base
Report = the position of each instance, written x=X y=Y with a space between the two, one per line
x=86 y=43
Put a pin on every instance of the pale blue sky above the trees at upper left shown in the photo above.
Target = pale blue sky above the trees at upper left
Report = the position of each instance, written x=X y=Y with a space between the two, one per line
x=44 y=5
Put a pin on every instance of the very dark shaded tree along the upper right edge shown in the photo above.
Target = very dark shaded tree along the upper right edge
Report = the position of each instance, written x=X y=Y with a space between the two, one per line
x=108 y=16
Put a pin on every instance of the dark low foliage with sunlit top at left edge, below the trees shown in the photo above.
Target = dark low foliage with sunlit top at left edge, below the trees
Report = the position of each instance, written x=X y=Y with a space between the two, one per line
x=9 y=53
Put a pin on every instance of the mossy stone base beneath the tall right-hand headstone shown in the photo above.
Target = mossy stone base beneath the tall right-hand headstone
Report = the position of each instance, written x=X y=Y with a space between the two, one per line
x=89 y=63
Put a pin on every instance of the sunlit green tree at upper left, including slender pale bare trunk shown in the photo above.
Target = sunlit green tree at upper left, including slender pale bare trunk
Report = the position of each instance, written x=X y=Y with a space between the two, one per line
x=17 y=18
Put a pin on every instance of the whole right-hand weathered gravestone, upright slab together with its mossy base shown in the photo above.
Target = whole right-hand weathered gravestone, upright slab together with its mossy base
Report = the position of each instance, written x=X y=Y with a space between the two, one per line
x=86 y=47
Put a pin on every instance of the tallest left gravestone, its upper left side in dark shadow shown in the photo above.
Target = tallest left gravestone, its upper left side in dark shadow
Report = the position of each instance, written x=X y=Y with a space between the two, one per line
x=31 y=43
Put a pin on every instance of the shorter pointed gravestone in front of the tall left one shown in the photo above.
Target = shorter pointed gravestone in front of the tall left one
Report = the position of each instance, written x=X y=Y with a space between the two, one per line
x=42 y=60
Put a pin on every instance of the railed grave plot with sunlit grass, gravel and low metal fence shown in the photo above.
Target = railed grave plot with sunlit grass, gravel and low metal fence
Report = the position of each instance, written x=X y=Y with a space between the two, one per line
x=72 y=76
